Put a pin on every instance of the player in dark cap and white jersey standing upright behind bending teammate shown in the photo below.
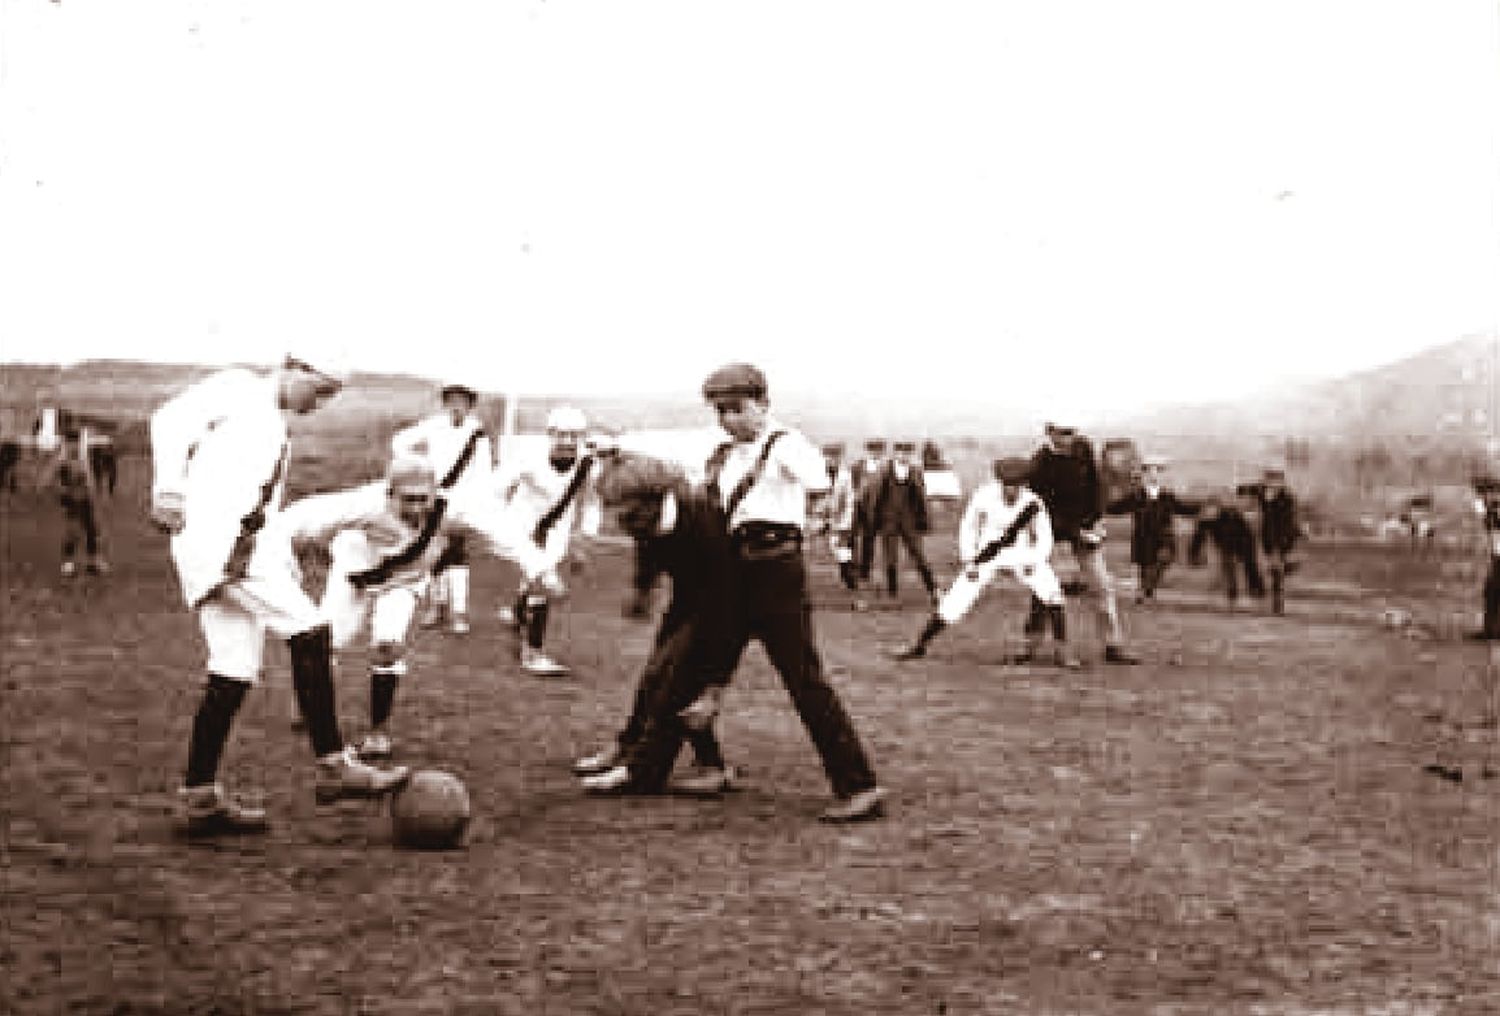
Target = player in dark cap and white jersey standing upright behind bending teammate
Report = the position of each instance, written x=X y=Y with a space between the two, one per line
x=463 y=458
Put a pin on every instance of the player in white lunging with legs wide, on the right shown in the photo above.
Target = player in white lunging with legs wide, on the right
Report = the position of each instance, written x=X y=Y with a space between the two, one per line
x=1006 y=531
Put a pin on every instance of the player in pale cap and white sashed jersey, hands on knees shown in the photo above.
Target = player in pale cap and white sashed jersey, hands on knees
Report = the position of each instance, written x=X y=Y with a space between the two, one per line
x=550 y=494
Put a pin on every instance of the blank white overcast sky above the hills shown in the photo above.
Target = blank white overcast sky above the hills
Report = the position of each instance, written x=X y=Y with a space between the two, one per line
x=1073 y=205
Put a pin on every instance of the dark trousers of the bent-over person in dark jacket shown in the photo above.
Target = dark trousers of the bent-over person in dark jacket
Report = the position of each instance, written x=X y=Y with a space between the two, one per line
x=674 y=676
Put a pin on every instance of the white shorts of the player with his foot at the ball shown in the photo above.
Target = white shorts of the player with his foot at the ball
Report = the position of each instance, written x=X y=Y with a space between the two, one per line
x=238 y=616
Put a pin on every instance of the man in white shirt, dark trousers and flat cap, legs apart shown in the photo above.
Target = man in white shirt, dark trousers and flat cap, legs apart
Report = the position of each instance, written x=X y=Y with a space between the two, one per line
x=763 y=476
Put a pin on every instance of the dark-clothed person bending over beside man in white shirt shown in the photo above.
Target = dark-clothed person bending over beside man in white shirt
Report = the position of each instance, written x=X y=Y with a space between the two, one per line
x=680 y=534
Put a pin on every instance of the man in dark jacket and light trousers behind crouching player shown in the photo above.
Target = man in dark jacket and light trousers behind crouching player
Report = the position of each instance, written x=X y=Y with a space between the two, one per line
x=1066 y=475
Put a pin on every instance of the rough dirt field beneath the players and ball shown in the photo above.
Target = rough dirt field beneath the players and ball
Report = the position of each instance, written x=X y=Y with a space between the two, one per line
x=1243 y=825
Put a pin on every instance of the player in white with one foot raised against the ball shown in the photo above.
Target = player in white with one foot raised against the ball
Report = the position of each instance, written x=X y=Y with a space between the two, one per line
x=220 y=455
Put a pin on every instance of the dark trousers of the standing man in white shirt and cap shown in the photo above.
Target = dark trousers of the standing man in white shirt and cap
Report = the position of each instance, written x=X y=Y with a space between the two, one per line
x=770 y=604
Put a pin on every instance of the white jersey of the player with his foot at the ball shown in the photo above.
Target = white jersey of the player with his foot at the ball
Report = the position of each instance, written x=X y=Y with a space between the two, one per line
x=223 y=446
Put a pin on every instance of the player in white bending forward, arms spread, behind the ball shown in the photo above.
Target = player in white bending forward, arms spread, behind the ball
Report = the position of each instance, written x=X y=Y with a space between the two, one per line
x=385 y=540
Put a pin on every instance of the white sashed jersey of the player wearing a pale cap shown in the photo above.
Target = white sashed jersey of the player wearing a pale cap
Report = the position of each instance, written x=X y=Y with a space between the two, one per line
x=530 y=487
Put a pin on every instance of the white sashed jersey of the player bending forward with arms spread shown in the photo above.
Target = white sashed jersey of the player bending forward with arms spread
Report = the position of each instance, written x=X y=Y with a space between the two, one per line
x=388 y=550
